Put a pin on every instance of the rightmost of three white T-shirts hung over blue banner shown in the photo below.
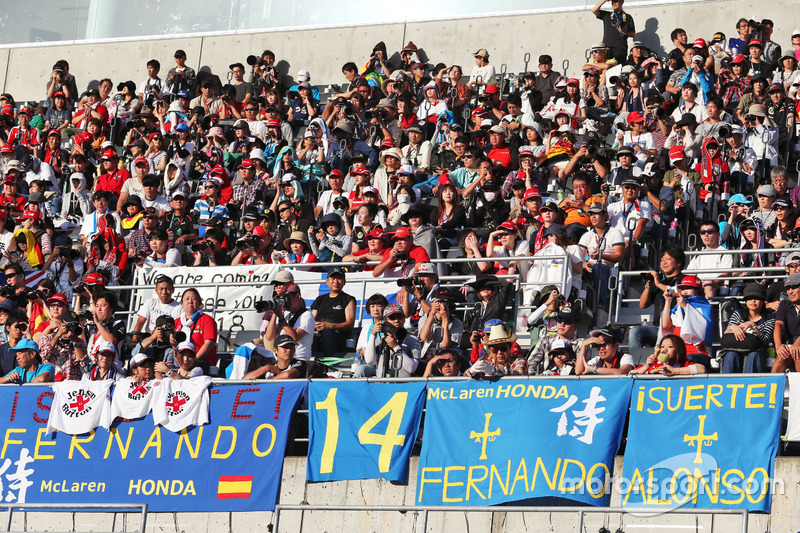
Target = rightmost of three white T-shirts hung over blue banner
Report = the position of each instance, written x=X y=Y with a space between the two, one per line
x=180 y=403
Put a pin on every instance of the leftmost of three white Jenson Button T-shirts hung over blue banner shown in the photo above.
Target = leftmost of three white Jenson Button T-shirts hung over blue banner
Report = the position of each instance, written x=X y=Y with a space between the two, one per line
x=80 y=406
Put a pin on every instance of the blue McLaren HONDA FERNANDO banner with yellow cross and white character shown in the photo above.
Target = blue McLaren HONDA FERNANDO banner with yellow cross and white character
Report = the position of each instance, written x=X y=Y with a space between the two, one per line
x=487 y=443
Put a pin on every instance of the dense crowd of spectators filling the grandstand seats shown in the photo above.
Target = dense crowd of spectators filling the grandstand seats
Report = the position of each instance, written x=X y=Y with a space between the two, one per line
x=629 y=164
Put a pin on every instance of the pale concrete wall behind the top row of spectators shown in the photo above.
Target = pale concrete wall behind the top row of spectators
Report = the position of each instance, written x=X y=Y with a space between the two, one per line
x=322 y=51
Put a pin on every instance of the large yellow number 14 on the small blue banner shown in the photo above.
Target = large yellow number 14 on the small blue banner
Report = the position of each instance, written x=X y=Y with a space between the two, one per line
x=395 y=408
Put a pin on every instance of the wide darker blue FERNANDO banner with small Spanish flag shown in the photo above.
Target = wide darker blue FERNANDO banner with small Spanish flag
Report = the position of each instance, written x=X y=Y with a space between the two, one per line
x=203 y=469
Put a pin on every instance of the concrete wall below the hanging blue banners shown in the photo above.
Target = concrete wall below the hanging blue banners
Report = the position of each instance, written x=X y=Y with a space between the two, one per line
x=784 y=518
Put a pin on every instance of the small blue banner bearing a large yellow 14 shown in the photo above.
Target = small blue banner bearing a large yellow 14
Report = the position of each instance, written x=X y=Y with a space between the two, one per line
x=362 y=430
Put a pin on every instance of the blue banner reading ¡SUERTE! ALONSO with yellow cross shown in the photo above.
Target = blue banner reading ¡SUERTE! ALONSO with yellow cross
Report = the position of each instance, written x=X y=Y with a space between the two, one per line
x=705 y=443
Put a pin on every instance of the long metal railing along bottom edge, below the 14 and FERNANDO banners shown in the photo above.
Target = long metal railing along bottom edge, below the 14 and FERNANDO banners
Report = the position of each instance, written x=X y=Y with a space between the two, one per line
x=427 y=509
